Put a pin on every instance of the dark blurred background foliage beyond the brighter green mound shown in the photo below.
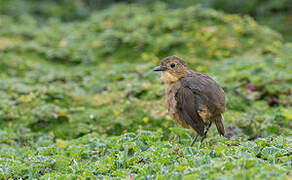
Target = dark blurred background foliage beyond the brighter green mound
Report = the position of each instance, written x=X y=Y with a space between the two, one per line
x=276 y=14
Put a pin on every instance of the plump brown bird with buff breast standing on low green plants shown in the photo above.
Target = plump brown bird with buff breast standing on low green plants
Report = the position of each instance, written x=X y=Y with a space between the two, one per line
x=193 y=99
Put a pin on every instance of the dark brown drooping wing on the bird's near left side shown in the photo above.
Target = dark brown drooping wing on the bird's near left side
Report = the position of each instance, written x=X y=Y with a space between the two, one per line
x=187 y=109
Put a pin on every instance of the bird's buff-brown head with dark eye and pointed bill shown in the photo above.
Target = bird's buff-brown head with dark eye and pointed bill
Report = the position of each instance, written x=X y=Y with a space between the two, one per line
x=172 y=68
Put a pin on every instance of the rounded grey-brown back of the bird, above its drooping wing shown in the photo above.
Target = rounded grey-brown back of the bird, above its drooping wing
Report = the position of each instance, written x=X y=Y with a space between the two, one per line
x=210 y=94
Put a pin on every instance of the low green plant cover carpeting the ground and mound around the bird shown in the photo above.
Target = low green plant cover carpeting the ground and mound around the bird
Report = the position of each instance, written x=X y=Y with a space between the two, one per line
x=79 y=100
